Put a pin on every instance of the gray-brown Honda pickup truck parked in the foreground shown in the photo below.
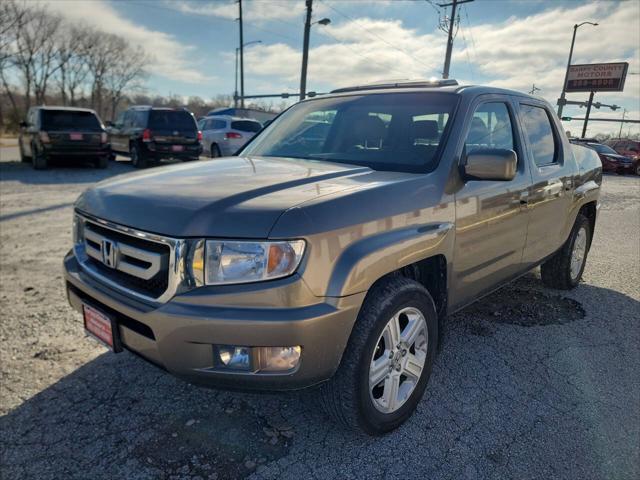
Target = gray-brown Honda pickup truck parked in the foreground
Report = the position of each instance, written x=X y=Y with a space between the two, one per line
x=329 y=250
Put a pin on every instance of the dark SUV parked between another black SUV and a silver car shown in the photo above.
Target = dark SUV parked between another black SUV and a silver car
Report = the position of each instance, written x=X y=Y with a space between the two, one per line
x=148 y=134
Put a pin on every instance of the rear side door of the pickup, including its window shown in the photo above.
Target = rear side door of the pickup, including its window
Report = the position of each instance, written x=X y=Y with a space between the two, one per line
x=552 y=169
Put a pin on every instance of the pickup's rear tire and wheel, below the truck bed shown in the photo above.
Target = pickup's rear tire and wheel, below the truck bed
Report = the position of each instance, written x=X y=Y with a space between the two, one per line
x=564 y=269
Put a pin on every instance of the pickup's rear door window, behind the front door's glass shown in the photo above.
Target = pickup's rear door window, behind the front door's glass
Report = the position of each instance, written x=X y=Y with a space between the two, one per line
x=538 y=129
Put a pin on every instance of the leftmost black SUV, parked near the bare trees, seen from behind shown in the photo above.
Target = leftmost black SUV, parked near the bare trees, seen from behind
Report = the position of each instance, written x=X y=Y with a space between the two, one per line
x=50 y=132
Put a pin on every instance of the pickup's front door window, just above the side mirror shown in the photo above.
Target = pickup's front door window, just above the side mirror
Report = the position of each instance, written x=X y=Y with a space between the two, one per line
x=490 y=128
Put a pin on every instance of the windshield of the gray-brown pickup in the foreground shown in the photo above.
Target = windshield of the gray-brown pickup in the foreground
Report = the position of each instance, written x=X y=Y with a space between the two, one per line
x=390 y=131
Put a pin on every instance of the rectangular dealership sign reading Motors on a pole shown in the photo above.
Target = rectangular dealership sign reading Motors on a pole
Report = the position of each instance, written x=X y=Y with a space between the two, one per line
x=597 y=77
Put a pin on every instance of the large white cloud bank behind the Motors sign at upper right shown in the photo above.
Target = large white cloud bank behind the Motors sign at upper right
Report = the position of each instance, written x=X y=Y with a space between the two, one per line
x=521 y=51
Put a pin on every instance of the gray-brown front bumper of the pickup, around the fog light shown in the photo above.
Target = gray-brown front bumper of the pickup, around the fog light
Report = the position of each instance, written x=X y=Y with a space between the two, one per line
x=180 y=335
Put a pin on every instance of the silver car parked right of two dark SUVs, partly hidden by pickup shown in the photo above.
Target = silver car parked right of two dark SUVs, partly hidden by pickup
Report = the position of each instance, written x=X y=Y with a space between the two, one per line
x=223 y=135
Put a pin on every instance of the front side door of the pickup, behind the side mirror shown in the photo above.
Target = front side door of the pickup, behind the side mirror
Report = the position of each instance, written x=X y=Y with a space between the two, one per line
x=491 y=216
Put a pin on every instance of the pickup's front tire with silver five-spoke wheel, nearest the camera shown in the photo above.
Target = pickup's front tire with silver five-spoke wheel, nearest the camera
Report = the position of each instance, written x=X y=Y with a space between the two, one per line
x=387 y=362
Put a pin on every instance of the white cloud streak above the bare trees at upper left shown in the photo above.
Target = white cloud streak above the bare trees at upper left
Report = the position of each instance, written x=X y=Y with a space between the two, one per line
x=170 y=57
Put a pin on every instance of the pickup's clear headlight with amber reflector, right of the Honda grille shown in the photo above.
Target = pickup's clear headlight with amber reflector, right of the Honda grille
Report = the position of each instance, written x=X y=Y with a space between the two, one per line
x=227 y=262
